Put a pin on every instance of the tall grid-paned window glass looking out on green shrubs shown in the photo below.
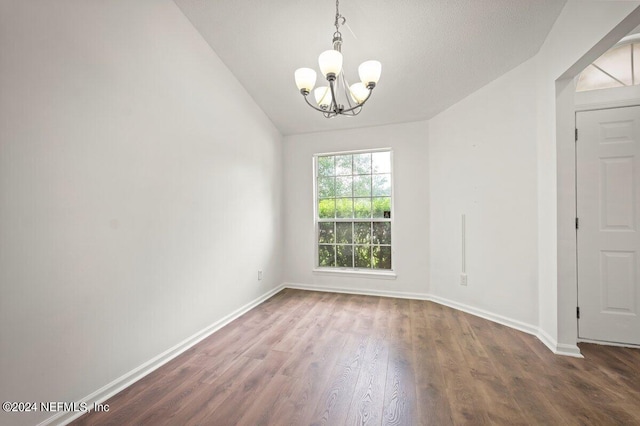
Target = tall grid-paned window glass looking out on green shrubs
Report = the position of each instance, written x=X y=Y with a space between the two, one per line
x=353 y=211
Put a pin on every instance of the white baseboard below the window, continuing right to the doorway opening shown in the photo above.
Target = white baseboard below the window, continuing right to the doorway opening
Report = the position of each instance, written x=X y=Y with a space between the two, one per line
x=552 y=344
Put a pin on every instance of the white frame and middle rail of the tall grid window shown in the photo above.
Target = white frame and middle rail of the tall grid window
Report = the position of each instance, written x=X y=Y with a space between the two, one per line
x=353 y=271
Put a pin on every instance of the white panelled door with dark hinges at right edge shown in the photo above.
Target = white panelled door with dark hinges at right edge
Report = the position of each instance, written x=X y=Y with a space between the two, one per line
x=608 y=236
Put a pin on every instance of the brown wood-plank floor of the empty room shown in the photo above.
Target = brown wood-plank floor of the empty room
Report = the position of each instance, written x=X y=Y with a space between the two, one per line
x=309 y=358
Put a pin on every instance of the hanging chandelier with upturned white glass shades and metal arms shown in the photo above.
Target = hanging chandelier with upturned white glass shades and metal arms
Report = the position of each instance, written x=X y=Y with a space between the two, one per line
x=338 y=98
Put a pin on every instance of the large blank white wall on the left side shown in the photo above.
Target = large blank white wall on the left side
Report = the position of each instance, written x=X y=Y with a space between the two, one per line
x=140 y=191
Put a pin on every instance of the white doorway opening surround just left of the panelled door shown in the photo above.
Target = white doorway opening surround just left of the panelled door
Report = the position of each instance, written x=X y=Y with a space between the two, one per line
x=559 y=296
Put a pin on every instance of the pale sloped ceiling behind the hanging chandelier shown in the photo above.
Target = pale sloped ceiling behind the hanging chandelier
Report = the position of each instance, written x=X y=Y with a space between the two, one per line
x=433 y=52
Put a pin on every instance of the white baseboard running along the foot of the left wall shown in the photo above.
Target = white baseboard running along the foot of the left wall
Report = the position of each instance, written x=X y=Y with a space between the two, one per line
x=138 y=373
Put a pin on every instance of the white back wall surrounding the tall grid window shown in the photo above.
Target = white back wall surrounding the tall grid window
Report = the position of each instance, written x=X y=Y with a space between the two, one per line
x=411 y=206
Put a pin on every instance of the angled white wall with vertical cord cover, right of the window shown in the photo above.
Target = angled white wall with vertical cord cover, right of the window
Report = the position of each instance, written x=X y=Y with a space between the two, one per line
x=482 y=163
